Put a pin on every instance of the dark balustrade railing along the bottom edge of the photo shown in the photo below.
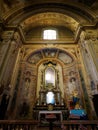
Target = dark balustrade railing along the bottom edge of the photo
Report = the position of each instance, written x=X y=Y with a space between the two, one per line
x=34 y=125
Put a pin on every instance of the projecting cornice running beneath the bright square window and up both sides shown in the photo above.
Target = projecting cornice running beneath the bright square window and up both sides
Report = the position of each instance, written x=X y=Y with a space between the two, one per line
x=52 y=42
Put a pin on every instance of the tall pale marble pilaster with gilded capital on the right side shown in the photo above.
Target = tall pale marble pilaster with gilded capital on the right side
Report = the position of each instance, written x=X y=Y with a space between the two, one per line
x=90 y=65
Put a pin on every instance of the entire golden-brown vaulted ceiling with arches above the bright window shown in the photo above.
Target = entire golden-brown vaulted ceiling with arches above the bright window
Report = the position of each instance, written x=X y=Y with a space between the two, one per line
x=70 y=14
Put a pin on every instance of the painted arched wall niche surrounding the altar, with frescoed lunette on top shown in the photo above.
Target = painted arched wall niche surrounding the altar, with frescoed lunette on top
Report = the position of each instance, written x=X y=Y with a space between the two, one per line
x=35 y=64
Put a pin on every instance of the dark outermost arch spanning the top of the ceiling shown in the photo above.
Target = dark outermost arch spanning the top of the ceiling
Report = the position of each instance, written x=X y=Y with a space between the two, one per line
x=42 y=7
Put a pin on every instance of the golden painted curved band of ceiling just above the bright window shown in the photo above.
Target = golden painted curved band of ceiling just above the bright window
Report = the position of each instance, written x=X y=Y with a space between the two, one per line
x=50 y=19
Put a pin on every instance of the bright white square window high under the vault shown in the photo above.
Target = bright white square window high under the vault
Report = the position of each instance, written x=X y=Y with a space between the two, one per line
x=49 y=34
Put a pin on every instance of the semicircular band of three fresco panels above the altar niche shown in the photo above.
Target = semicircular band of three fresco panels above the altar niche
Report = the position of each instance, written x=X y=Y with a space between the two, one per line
x=50 y=53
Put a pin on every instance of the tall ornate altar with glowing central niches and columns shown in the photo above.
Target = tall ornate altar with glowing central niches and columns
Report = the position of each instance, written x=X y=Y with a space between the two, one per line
x=50 y=99
